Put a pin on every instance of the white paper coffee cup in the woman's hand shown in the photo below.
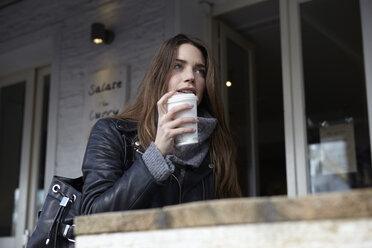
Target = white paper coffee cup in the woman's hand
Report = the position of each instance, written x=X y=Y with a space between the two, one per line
x=187 y=138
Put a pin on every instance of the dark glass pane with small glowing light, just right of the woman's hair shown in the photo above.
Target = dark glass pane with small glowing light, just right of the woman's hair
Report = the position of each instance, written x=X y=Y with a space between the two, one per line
x=237 y=62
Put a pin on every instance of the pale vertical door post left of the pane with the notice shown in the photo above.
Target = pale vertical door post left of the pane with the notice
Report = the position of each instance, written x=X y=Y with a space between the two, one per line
x=293 y=99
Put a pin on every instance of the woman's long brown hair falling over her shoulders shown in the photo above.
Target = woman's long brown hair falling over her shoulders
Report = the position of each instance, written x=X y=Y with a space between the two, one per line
x=142 y=109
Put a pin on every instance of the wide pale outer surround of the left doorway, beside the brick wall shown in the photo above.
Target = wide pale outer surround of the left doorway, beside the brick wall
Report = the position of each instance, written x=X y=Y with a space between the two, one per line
x=36 y=53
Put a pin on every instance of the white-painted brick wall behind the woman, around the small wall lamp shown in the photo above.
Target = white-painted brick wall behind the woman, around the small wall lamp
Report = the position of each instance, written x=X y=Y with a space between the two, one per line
x=139 y=30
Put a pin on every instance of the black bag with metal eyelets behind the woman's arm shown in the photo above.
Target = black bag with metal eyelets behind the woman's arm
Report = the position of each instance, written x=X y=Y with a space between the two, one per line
x=55 y=225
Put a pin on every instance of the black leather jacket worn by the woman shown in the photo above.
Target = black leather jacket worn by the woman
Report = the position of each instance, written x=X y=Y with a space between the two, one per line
x=116 y=178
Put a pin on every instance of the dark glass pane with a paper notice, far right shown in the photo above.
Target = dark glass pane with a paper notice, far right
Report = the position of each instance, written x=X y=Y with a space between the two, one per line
x=335 y=96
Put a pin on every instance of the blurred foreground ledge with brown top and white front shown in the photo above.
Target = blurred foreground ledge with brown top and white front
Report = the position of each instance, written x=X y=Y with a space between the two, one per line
x=327 y=220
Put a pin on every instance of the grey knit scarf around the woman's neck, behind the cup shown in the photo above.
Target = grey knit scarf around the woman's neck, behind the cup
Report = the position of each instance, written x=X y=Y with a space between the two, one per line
x=194 y=154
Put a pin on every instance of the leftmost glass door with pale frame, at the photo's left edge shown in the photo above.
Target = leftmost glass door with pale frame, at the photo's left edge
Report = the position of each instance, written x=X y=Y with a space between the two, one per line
x=16 y=98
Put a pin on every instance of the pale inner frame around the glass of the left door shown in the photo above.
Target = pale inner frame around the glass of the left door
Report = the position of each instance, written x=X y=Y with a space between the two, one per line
x=30 y=152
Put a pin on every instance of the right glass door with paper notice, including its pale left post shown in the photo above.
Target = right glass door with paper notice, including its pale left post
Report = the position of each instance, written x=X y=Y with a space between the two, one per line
x=327 y=130
